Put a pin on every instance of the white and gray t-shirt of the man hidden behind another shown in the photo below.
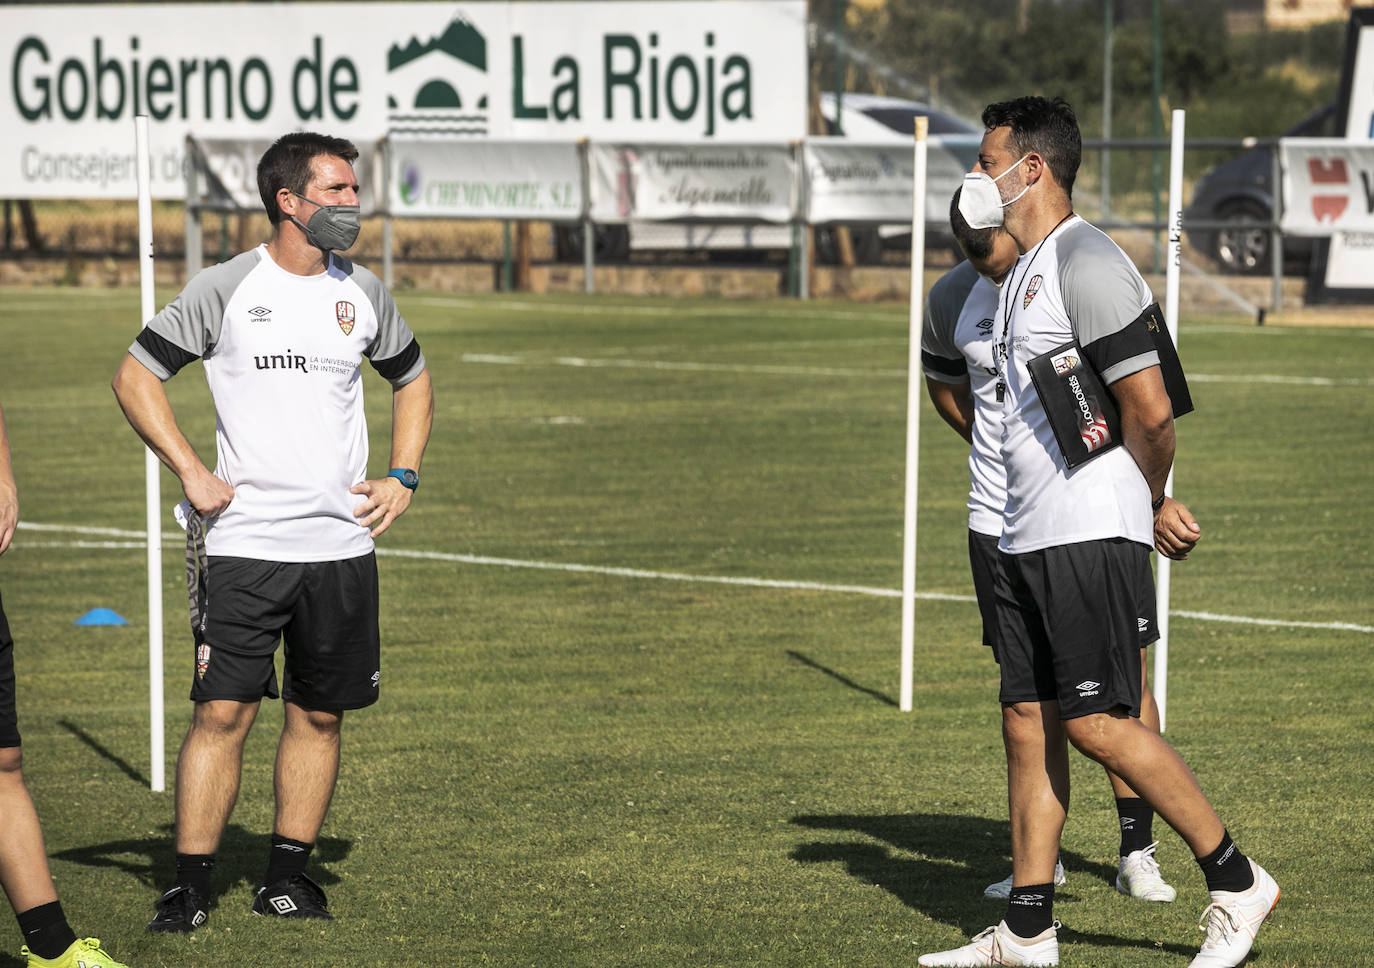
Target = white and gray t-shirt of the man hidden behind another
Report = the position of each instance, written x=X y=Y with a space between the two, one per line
x=957 y=348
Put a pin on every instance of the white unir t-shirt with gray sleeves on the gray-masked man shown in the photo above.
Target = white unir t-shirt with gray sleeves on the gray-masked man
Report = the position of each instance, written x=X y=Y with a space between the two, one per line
x=282 y=358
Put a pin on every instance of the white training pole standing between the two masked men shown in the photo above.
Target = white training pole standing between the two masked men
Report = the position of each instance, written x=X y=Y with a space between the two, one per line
x=909 y=532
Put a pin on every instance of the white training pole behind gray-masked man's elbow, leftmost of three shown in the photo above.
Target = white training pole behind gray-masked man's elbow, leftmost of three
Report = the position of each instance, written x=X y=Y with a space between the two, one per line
x=157 y=774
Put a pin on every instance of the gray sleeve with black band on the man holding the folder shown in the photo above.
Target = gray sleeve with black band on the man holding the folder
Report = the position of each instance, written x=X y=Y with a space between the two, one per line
x=1107 y=299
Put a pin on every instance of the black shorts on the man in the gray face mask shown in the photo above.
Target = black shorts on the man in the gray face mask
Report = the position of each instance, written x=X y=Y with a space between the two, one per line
x=326 y=614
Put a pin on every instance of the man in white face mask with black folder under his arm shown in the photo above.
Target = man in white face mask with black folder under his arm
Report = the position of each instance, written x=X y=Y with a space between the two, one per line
x=1075 y=544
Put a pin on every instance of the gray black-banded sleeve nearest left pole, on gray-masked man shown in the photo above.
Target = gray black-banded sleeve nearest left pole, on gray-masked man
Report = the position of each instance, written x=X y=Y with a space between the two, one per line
x=189 y=327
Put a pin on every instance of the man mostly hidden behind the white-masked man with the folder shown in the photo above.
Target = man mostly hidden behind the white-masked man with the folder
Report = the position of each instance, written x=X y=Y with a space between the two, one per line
x=961 y=378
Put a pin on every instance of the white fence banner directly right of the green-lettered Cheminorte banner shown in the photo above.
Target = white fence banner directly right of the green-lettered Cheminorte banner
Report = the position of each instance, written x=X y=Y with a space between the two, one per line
x=693 y=182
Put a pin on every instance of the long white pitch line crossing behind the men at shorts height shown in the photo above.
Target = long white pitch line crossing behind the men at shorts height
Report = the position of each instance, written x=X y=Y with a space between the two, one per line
x=170 y=538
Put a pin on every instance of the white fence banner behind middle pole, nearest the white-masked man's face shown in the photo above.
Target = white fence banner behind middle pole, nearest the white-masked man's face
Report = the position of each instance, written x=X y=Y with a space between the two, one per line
x=873 y=183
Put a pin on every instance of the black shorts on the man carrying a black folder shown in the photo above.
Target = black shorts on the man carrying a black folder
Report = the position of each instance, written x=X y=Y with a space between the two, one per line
x=1071 y=625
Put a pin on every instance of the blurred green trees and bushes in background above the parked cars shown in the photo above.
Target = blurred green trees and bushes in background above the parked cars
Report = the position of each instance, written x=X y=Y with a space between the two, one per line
x=965 y=54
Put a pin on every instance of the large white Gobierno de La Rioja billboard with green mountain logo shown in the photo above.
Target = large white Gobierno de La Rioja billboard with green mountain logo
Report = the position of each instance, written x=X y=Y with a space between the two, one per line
x=668 y=71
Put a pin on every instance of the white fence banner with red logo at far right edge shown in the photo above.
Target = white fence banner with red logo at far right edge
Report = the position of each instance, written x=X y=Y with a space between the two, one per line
x=1328 y=186
